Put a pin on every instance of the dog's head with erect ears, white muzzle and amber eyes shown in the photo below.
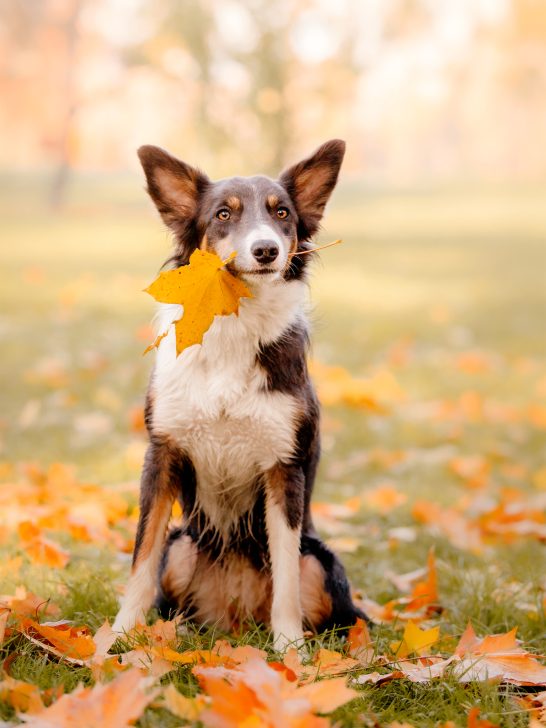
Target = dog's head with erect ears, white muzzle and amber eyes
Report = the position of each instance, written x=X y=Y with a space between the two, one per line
x=261 y=219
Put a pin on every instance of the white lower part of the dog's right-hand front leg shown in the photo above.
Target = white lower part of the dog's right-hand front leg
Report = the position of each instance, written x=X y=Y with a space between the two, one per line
x=284 y=550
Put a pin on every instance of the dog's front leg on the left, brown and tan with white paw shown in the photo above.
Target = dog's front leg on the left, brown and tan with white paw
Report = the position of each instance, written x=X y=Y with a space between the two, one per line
x=156 y=500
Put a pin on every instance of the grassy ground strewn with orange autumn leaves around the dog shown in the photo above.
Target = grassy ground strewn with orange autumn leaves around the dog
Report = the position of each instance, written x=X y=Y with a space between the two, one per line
x=430 y=359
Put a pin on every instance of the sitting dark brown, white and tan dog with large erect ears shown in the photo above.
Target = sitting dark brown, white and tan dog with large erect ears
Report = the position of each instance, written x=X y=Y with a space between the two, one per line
x=233 y=423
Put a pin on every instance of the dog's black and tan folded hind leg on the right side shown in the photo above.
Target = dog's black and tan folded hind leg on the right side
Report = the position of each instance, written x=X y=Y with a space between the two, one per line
x=325 y=589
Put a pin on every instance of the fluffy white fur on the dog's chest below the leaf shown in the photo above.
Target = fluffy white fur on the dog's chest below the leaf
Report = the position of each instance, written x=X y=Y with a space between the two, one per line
x=213 y=402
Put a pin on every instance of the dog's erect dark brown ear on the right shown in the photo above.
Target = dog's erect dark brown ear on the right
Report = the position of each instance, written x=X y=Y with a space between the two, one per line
x=310 y=183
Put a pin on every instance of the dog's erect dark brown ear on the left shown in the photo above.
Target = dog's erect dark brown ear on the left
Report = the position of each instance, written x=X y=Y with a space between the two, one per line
x=174 y=186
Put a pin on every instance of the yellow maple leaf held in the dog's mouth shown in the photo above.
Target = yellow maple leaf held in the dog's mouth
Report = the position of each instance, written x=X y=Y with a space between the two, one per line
x=205 y=291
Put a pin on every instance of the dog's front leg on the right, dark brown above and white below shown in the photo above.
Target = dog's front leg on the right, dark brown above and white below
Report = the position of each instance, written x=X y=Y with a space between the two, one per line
x=283 y=519
